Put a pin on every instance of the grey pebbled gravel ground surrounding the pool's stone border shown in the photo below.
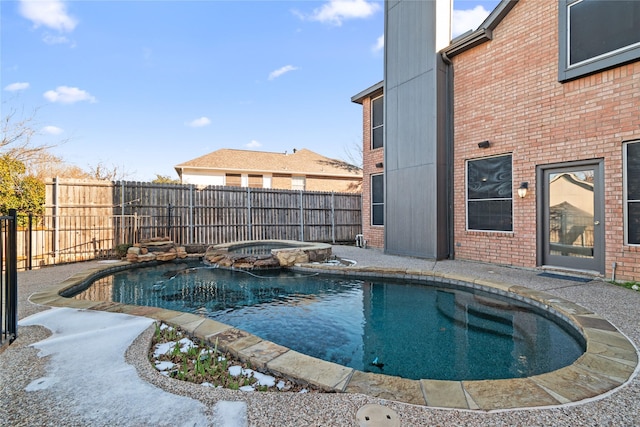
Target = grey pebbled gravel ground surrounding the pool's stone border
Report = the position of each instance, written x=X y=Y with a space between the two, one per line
x=20 y=364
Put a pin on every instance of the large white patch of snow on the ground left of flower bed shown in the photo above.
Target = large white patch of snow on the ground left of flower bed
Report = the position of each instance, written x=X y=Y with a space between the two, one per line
x=87 y=367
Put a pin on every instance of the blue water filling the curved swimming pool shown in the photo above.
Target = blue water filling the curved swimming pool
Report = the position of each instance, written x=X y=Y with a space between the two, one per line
x=409 y=330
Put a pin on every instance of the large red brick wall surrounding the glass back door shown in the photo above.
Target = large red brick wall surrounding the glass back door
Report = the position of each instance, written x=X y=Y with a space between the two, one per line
x=507 y=92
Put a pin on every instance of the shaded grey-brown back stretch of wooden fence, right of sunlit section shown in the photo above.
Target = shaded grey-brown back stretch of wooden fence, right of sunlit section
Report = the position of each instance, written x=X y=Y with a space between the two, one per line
x=214 y=214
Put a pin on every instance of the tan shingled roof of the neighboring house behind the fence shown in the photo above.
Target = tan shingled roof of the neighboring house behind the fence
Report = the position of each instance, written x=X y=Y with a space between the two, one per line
x=300 y=162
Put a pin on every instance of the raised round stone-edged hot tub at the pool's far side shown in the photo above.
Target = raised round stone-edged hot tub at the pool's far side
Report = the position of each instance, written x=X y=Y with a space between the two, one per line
x=261 y=254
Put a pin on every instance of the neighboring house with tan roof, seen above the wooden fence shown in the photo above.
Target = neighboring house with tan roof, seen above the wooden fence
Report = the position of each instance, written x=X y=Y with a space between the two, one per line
x=300 y=170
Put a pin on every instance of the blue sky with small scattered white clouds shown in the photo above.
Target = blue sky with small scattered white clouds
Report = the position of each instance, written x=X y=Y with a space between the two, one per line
x=145 y=85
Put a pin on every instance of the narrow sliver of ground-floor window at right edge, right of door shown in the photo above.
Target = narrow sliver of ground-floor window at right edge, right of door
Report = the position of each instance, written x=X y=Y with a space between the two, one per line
x=632 y=192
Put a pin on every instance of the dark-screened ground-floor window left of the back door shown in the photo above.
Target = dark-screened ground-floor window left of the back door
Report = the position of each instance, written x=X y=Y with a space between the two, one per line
x=489 y=194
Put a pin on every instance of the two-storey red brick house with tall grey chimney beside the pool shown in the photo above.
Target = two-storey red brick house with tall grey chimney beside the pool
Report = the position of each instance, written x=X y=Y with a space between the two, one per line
x=537 y=137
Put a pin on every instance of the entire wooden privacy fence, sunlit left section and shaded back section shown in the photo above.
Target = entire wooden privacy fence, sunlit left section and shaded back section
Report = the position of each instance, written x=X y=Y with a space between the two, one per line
x=89 y=219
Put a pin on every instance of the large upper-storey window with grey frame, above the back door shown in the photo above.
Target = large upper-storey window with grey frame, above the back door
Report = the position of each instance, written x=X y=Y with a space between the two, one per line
x=597 y=34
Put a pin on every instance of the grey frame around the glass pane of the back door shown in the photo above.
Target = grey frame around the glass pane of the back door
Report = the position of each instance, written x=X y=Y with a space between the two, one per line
x=599 y=244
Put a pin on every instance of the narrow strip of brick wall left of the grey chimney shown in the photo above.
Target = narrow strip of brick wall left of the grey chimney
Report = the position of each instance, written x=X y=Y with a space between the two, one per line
x=374 y=235
